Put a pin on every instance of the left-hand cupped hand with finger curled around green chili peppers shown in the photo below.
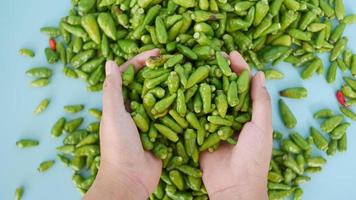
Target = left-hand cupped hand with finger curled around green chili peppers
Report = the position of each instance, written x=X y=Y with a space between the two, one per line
x=126 y=170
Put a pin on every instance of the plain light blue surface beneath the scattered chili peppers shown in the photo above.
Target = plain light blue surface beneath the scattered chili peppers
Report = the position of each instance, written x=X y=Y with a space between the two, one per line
x=20 y=21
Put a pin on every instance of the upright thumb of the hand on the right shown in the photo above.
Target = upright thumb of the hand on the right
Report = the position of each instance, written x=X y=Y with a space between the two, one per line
x=261 y=103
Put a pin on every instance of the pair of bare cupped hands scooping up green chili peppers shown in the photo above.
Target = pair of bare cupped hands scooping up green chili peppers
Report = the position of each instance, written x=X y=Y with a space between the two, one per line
x=128 y=172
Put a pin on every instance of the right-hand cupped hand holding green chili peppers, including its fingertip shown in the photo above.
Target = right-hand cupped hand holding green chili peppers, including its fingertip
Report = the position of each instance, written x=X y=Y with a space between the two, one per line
x=240 y=172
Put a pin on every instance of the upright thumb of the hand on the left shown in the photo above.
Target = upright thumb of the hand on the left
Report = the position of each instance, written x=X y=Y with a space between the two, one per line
x=113 y=102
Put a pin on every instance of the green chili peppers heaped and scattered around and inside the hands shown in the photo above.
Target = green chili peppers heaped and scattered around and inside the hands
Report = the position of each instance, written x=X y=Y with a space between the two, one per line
x=188 y=100
